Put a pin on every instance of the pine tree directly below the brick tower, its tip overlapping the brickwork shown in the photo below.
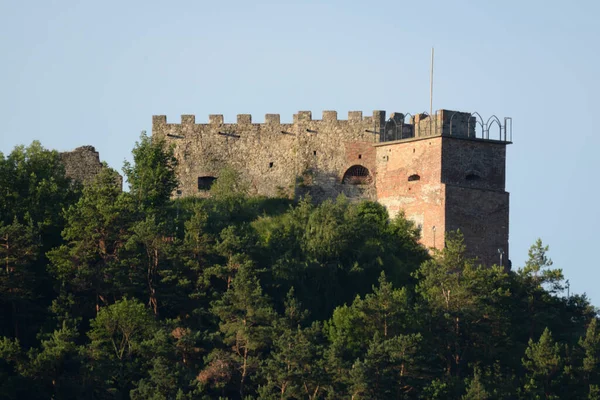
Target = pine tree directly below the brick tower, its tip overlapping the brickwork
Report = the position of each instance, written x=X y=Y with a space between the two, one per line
x=468 y=306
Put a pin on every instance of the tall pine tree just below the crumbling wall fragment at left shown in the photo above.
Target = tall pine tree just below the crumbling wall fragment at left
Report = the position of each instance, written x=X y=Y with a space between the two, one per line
x=88 y=263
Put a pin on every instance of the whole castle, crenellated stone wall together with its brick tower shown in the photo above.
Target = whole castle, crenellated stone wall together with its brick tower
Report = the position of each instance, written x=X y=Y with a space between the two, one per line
x=436 y=169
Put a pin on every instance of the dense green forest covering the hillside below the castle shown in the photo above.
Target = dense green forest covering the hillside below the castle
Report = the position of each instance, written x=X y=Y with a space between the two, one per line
x=107 y=294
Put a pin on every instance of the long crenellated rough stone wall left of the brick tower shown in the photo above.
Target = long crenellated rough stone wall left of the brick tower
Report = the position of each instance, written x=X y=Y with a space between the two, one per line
x=305 y=156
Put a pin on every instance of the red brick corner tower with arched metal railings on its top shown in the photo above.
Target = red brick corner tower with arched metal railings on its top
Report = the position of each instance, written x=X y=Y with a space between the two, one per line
x=447 y=172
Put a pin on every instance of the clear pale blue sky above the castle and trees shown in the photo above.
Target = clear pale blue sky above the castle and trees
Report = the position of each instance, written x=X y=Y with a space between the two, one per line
x=76 y=73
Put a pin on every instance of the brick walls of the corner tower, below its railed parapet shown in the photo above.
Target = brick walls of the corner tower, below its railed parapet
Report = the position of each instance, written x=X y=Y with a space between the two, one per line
x=446 y=196
